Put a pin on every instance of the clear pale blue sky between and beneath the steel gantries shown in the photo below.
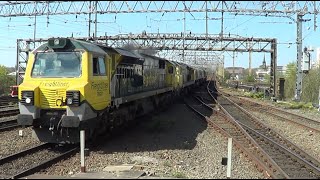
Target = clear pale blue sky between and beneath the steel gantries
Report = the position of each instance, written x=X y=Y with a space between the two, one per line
x=283 y=29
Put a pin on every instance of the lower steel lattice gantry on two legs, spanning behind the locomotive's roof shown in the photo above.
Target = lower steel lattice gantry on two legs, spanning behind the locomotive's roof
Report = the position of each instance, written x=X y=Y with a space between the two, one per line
x=171 y=42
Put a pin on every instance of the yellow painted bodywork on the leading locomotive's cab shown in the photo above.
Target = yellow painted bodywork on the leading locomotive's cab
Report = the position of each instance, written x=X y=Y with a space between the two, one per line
x=51 y=93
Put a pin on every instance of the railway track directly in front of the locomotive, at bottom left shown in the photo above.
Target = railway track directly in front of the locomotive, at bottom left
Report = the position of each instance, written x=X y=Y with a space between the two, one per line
x=32 y=160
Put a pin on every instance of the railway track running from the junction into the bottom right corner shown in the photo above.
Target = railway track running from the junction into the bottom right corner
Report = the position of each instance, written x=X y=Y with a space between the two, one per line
x=292 y=160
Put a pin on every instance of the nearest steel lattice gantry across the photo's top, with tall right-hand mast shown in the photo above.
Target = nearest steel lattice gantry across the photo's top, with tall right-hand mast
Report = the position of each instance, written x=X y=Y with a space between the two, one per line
x=288 y=9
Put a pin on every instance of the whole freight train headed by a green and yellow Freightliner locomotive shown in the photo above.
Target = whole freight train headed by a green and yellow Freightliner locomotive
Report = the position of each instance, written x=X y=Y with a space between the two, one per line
x=71 y=84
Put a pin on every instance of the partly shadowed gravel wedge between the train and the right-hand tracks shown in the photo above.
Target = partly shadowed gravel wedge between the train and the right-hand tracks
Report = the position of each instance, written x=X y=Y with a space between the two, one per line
x=175 y=143
